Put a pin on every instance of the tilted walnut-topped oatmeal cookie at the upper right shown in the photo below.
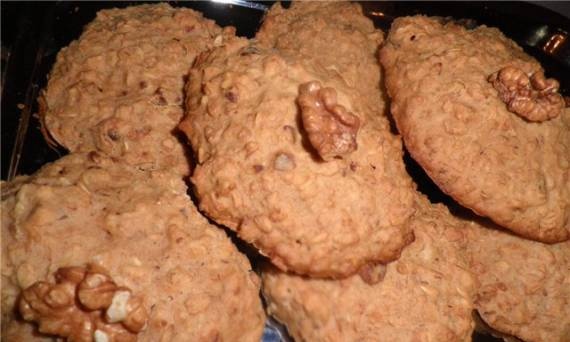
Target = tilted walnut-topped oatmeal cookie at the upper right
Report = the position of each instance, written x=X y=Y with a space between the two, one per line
x=478 y=115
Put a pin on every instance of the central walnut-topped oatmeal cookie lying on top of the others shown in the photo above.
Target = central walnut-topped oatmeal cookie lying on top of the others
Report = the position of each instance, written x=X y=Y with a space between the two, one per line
x=296 y=162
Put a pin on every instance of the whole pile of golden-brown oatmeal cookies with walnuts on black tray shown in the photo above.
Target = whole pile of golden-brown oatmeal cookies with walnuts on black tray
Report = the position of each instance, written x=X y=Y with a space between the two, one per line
x=294 y=140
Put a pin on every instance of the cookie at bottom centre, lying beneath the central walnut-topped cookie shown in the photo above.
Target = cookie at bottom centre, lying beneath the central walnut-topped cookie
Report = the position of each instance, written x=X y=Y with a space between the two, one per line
x=426 y=295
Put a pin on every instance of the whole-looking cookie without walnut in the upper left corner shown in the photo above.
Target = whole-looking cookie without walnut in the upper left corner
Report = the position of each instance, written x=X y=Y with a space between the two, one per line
x=118 y=88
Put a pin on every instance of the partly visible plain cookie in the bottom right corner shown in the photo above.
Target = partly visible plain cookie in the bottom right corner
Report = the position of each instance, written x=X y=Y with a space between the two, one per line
x=524 y=286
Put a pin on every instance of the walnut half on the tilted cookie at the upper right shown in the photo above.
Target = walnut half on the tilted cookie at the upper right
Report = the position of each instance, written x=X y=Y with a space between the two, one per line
x=535 y=98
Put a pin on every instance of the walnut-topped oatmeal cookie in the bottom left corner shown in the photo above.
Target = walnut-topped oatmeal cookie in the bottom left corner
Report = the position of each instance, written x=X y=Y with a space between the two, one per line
x=87 y=229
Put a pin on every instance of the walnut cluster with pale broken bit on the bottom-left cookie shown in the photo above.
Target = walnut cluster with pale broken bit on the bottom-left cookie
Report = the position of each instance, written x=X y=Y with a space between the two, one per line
x=83 y=305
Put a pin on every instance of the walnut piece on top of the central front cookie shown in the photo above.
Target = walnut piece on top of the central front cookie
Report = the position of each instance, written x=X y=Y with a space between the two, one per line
x=330 y=127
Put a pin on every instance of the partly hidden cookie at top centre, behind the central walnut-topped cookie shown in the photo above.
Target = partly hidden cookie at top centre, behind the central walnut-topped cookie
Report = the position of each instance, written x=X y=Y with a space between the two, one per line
x=307 y=29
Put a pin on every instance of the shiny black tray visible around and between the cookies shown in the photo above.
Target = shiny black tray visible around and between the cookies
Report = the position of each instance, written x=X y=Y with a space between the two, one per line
x=33 y=33
